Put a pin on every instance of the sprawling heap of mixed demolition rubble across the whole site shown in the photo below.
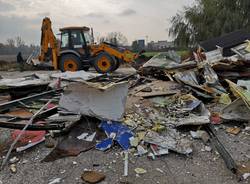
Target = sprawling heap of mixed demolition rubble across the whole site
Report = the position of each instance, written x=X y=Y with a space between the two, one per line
x=138 y=115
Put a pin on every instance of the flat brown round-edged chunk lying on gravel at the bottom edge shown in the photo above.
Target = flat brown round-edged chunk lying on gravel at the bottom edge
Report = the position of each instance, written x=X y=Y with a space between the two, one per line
x=92 y=176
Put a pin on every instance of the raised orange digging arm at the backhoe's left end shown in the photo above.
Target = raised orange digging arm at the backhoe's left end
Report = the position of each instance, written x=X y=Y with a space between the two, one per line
x=48 y=44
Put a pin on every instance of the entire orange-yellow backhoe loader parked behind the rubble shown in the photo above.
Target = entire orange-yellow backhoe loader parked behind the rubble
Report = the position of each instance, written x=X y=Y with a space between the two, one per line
x=76 y=50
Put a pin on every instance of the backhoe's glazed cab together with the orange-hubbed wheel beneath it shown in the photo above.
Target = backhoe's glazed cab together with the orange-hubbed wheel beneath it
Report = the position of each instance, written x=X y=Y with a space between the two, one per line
x=74 y=51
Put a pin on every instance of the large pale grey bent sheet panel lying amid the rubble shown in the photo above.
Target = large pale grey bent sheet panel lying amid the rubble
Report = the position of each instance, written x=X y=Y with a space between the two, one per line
x=106 y=102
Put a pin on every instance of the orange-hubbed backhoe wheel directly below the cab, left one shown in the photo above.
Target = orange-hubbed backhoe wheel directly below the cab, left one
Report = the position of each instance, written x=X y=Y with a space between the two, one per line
x=70 y=62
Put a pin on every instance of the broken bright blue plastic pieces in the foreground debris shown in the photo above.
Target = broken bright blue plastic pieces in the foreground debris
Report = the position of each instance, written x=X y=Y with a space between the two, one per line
x=115 y=131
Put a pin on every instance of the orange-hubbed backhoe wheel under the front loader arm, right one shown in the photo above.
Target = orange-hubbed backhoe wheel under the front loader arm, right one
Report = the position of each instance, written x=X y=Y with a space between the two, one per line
x=104 y=63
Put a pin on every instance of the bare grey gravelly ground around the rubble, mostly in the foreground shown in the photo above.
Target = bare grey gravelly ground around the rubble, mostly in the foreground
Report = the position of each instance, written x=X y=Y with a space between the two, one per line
x=201 y=167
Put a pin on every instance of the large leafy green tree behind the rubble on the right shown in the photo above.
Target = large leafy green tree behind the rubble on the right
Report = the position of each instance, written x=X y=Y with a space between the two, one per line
x=209 y=18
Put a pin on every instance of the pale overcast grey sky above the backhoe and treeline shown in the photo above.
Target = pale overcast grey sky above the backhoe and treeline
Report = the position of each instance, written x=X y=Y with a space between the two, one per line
x=136 y=19
